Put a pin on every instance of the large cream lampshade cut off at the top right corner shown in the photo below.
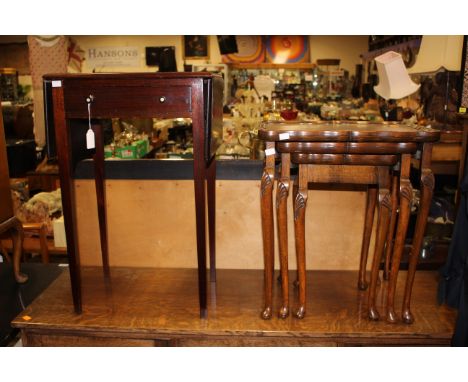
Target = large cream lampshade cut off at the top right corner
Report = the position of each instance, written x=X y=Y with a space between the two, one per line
x=438 y=52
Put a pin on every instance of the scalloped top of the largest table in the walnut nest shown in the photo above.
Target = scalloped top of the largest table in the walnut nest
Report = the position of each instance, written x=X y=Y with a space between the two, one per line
x=345 y=131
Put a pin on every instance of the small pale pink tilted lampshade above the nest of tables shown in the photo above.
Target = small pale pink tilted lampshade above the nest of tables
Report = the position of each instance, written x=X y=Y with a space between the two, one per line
x=394 y=81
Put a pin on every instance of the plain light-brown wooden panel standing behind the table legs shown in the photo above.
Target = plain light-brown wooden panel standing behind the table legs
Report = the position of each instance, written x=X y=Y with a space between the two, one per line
x=152 y=223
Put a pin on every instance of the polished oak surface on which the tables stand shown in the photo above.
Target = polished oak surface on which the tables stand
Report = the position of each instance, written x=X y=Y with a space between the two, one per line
x=159 y=307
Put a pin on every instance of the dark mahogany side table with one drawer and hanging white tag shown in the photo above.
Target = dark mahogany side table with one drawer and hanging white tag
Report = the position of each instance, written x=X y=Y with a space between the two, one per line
x=146 y=95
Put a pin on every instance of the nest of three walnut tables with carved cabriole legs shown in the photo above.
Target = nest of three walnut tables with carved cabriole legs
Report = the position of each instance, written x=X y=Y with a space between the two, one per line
x=332 y=152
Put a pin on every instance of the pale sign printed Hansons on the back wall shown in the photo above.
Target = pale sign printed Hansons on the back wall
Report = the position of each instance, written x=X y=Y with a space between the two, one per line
x=113 y=56
